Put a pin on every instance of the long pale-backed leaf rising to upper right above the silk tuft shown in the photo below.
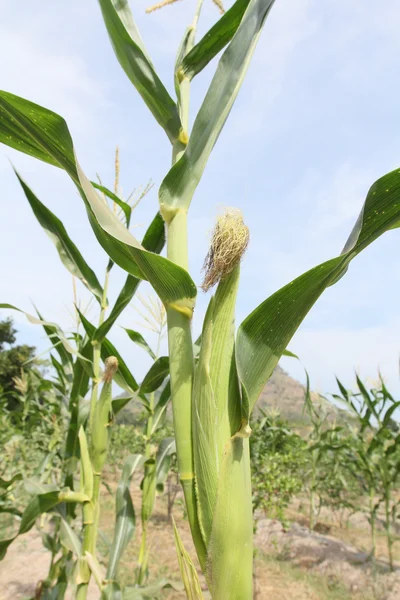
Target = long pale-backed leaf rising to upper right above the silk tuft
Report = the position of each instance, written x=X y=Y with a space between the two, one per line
x=179 y=185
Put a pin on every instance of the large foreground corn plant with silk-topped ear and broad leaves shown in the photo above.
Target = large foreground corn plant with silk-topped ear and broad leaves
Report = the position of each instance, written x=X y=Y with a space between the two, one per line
x=212 y=401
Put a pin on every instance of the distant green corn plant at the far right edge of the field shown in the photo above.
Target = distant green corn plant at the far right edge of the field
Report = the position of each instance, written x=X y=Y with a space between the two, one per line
x=374 y=453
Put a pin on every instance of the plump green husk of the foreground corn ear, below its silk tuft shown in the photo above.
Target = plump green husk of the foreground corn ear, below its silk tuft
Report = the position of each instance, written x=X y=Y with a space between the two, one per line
x=221 y=453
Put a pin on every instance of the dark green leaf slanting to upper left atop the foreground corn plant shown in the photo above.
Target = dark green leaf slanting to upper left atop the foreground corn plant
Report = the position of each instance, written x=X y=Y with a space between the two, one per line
x=133 y=58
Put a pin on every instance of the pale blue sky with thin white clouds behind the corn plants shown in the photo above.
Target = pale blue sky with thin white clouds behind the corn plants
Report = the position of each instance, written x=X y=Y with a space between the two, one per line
x=316 y=122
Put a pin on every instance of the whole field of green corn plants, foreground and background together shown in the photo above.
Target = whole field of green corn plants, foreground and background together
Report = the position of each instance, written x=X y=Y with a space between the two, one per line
x=211 y=384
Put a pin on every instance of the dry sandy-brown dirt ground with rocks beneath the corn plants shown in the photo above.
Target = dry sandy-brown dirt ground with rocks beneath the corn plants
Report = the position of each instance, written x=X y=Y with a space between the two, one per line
x=292 y=563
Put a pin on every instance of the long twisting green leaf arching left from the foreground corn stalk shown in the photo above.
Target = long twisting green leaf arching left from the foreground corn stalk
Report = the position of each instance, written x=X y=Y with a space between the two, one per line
x=39 y=132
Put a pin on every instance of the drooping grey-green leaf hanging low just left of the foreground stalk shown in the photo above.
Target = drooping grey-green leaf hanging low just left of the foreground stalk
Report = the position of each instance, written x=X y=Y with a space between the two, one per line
x=125 y=514
